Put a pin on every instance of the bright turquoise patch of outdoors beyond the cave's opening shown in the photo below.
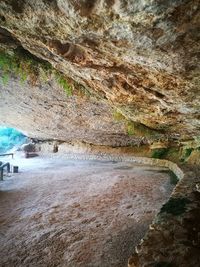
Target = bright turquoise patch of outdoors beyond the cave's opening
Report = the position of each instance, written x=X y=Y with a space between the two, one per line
x=10 y=138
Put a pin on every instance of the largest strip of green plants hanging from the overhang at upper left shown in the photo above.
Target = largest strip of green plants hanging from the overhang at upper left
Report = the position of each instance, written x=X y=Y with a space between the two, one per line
x=26 y=66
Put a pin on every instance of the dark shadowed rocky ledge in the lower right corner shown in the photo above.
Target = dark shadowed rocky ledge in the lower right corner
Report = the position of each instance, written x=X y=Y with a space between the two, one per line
x=173 y=237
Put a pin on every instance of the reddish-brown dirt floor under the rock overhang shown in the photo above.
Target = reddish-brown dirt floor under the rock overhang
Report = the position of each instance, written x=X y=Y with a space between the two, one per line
x=59 y=212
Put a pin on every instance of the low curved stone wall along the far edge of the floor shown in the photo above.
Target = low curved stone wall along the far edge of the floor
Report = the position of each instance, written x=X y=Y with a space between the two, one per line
x=88 y=152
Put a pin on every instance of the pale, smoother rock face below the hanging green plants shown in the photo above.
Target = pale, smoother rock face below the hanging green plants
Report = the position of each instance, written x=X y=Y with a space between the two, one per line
x=45 y=112
